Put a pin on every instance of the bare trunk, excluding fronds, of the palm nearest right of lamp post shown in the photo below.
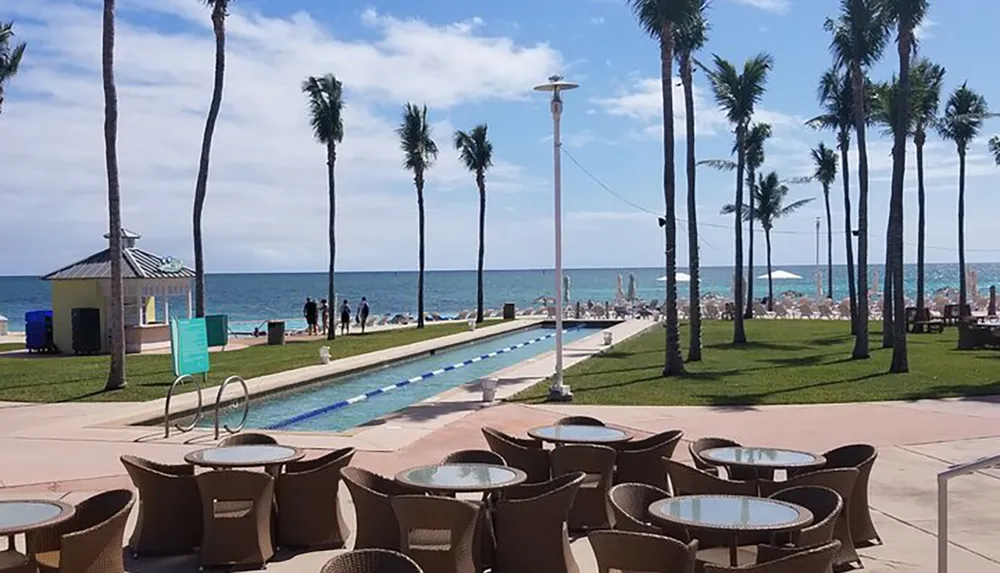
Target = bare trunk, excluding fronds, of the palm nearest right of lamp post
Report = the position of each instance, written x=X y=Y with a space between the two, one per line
x=673 y=362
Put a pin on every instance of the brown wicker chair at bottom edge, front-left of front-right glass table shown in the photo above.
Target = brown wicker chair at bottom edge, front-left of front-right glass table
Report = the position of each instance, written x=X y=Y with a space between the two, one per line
x=631 y=551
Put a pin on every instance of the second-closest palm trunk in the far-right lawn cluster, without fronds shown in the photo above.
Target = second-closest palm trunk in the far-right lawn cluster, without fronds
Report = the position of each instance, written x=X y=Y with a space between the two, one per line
x=860 y=116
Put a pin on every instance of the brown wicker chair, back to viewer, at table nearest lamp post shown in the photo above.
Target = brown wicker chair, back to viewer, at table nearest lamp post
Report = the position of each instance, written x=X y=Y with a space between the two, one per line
x=591 y=509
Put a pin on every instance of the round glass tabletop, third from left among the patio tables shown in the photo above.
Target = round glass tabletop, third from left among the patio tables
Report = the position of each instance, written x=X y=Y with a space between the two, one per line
x=461 y=477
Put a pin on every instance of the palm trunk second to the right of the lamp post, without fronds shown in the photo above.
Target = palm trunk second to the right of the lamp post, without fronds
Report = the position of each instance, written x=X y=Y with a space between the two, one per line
x=694 y=344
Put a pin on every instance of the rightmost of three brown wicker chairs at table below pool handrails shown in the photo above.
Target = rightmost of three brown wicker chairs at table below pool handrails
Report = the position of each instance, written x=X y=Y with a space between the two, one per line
x=309 y=513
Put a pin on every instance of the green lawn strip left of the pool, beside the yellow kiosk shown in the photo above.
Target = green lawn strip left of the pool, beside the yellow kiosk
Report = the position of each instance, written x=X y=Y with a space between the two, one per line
x=82 y=378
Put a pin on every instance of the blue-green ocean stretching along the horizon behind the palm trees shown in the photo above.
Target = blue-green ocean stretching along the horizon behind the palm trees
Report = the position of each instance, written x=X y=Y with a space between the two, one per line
x=250 y=299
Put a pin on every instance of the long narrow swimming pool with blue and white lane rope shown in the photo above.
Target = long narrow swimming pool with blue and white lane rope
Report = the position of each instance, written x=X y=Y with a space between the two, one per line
x=333 y=405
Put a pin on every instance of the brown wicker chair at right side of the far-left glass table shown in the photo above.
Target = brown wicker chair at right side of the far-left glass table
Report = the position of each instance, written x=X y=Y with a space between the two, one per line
x=91 y=541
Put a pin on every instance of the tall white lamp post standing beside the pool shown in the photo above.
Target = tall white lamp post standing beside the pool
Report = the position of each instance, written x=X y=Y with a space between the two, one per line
x=556 y=85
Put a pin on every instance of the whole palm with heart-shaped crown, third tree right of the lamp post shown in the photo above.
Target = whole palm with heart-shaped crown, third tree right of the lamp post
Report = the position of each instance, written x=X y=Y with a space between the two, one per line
x=737 y=93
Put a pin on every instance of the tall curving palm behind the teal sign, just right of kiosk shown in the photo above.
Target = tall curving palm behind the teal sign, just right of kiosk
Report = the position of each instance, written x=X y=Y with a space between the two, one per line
x=219 y=13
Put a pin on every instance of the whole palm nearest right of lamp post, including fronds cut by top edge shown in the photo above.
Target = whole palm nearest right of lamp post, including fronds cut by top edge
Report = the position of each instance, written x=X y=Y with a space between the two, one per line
x=658 y=19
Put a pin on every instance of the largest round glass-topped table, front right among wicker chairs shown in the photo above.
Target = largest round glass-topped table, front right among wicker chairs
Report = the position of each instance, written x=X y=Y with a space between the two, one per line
x=731 y=515
